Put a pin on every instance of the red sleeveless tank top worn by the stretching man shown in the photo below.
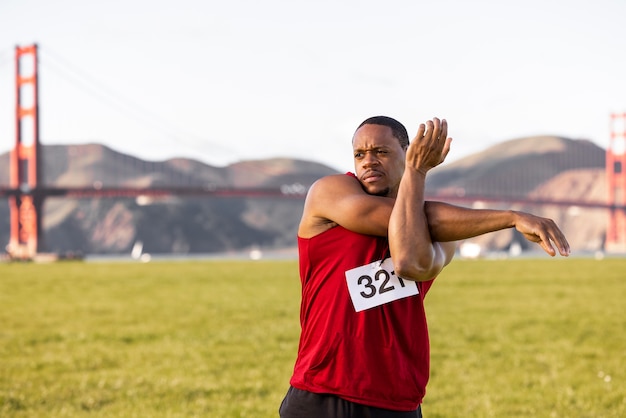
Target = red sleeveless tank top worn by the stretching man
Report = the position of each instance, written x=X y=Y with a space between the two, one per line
x=377 y=357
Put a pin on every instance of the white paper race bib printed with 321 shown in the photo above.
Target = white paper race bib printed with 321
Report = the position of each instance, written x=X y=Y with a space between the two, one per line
x=376 y=284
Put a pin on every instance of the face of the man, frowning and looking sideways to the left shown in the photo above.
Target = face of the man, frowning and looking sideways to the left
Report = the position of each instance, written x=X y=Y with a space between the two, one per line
x=378 y=159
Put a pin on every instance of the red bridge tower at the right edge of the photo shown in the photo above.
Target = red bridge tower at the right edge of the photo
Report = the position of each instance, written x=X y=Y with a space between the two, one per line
x=616 y=184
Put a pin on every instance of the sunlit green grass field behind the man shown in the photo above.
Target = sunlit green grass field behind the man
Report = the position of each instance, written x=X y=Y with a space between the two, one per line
x=510 y=338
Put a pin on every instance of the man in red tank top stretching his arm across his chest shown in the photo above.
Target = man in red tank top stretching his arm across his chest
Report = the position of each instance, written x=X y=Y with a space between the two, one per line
x=370 y=248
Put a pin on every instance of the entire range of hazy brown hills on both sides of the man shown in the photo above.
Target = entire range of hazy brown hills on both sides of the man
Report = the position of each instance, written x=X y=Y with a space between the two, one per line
x=542 y=166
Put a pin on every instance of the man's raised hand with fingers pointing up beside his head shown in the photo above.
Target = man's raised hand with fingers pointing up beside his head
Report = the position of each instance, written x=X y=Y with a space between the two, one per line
x=430 y=146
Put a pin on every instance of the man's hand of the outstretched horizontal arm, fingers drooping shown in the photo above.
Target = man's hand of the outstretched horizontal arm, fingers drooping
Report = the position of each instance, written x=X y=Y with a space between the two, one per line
x=543 y=231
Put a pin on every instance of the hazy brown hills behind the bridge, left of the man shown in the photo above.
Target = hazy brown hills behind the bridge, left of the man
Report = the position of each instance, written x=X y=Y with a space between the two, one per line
x=172 y=225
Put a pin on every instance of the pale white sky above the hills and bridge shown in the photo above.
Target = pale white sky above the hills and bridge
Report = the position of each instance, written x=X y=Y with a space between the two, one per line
x=224 y=81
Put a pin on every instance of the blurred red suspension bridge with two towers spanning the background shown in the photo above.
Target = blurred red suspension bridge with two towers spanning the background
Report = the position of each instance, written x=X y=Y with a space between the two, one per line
x=27 y=189
